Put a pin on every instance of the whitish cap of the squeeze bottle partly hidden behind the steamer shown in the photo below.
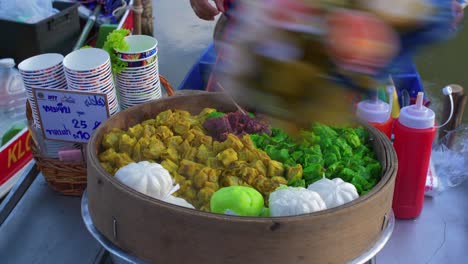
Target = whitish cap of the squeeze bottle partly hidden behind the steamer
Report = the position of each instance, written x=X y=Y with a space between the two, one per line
x=376 y=111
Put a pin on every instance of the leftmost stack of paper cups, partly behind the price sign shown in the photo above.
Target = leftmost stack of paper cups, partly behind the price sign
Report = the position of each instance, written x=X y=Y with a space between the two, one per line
x=42 y=71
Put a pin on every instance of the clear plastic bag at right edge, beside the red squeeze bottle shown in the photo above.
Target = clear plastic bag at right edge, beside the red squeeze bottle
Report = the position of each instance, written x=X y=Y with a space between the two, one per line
x=449 y=166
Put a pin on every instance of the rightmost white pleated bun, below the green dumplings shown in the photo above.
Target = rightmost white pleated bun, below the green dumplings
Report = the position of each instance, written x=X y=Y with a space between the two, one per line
x=334 y=192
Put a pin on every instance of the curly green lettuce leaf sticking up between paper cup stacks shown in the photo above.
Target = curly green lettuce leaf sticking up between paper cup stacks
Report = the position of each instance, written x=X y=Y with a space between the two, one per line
x=116 y=40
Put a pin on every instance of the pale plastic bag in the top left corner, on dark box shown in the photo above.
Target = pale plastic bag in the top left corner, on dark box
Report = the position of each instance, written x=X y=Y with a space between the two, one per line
x=26 y=11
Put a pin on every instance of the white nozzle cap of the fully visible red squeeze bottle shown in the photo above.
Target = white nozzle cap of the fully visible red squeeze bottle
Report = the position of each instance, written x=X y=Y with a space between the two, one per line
x=417 y=116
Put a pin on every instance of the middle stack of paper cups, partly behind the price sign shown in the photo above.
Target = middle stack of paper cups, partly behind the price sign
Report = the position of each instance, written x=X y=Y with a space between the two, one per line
x=89 y=70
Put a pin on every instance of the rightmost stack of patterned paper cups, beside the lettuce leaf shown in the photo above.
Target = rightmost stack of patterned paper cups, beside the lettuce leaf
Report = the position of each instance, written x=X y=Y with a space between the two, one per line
x=139 y=82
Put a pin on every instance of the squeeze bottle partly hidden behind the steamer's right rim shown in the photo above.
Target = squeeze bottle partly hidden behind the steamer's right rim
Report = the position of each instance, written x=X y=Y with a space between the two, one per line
x=377 y=113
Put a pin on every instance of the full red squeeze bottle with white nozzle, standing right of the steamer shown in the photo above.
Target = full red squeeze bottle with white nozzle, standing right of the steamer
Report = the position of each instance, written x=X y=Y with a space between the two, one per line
x=414 y=133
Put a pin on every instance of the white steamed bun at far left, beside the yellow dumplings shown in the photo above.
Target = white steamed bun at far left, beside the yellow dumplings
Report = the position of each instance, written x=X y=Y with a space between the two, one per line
x=148 y=178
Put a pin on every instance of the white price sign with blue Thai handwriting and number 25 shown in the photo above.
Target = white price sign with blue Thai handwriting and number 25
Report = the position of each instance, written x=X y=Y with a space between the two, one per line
x=70 y=115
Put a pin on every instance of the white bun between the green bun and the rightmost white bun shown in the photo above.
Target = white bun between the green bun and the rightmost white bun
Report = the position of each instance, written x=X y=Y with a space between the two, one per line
x=295 y=201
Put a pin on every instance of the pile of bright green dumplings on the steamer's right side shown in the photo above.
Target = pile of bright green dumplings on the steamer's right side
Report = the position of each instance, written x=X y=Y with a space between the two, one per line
x=334 y=152
